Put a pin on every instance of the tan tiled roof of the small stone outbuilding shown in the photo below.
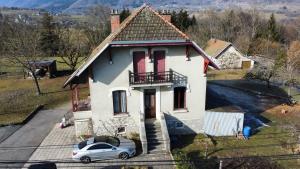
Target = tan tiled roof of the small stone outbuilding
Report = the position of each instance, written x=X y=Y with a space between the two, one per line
x=215 y=47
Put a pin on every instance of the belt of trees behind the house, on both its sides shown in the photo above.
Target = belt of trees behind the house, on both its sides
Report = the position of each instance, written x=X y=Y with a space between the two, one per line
x=247 y=30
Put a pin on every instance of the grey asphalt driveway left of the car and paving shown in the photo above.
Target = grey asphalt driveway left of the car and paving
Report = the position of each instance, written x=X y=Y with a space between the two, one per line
x=18 y=148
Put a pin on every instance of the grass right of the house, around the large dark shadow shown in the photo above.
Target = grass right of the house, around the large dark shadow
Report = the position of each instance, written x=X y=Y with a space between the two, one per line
x=282 y=137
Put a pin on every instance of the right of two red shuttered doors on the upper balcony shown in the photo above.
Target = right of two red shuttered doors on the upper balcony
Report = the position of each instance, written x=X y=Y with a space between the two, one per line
x=159 y=65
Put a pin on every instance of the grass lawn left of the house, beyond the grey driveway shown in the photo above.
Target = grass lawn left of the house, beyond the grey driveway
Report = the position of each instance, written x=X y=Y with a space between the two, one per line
x=18 y=97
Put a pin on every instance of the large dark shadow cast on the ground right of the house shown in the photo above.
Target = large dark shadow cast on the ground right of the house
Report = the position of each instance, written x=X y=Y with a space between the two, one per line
x=250 y=97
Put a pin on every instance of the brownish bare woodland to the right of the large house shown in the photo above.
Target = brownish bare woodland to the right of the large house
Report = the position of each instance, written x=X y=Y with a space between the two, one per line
x=255 y=35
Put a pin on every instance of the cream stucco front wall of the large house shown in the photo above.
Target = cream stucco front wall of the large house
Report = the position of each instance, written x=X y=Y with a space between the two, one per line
x=109 y=77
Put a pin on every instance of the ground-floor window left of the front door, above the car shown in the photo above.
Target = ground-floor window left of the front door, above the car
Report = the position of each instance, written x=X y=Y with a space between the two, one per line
x=119 y=101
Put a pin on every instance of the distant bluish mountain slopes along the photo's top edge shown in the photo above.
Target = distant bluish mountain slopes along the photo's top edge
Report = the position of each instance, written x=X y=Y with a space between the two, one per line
x=83 y=5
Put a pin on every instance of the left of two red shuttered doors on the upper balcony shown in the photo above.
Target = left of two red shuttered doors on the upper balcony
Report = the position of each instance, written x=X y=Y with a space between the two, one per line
x=139 y=65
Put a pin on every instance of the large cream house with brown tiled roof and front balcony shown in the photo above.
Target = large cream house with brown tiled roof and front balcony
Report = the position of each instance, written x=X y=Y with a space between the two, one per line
x=145 y=69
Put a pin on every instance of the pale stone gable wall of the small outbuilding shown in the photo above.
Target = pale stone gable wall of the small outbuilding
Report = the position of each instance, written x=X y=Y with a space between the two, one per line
x=231 y=59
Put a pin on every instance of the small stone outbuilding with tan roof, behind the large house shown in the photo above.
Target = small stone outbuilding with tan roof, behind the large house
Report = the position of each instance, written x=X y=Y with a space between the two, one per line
x=227 y=55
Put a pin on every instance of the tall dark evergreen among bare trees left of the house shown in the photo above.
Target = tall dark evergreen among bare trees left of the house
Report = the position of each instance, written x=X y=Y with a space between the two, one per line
x=49 y=39
